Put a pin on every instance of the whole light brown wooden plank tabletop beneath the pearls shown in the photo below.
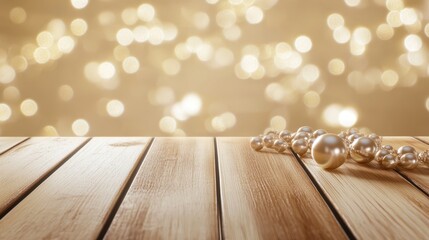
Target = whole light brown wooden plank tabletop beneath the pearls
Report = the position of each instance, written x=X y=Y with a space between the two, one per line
x=200 y=188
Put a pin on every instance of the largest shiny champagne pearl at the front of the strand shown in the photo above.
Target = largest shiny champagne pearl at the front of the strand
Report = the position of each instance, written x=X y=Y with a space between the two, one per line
x=329 y=151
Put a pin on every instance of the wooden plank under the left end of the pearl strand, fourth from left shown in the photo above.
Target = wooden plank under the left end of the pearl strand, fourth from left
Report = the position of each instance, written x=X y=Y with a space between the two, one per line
x=267 y=195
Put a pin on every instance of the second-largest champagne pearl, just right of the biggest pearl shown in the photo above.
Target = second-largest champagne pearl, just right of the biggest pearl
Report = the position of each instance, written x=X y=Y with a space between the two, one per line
x=363 y=150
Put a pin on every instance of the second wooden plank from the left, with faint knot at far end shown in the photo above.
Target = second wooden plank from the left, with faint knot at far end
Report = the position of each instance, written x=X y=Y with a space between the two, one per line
x=76 y=200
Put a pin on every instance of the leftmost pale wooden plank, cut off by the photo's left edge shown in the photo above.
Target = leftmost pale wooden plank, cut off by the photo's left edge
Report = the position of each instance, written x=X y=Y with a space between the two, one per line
x=22 y=167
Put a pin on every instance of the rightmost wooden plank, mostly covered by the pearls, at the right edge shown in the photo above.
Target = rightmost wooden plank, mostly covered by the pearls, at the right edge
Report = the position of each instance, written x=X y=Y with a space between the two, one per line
x=420 y=175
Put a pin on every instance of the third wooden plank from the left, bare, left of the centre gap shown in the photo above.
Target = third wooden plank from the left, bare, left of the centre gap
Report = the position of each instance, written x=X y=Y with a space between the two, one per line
x=173 y=195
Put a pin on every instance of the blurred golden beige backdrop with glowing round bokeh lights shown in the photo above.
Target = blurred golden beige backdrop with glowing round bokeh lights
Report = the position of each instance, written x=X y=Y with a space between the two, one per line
x=213 y=67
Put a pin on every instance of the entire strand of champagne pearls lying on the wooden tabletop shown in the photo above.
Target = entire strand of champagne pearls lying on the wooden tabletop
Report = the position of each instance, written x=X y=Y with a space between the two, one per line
x=331 y=150
